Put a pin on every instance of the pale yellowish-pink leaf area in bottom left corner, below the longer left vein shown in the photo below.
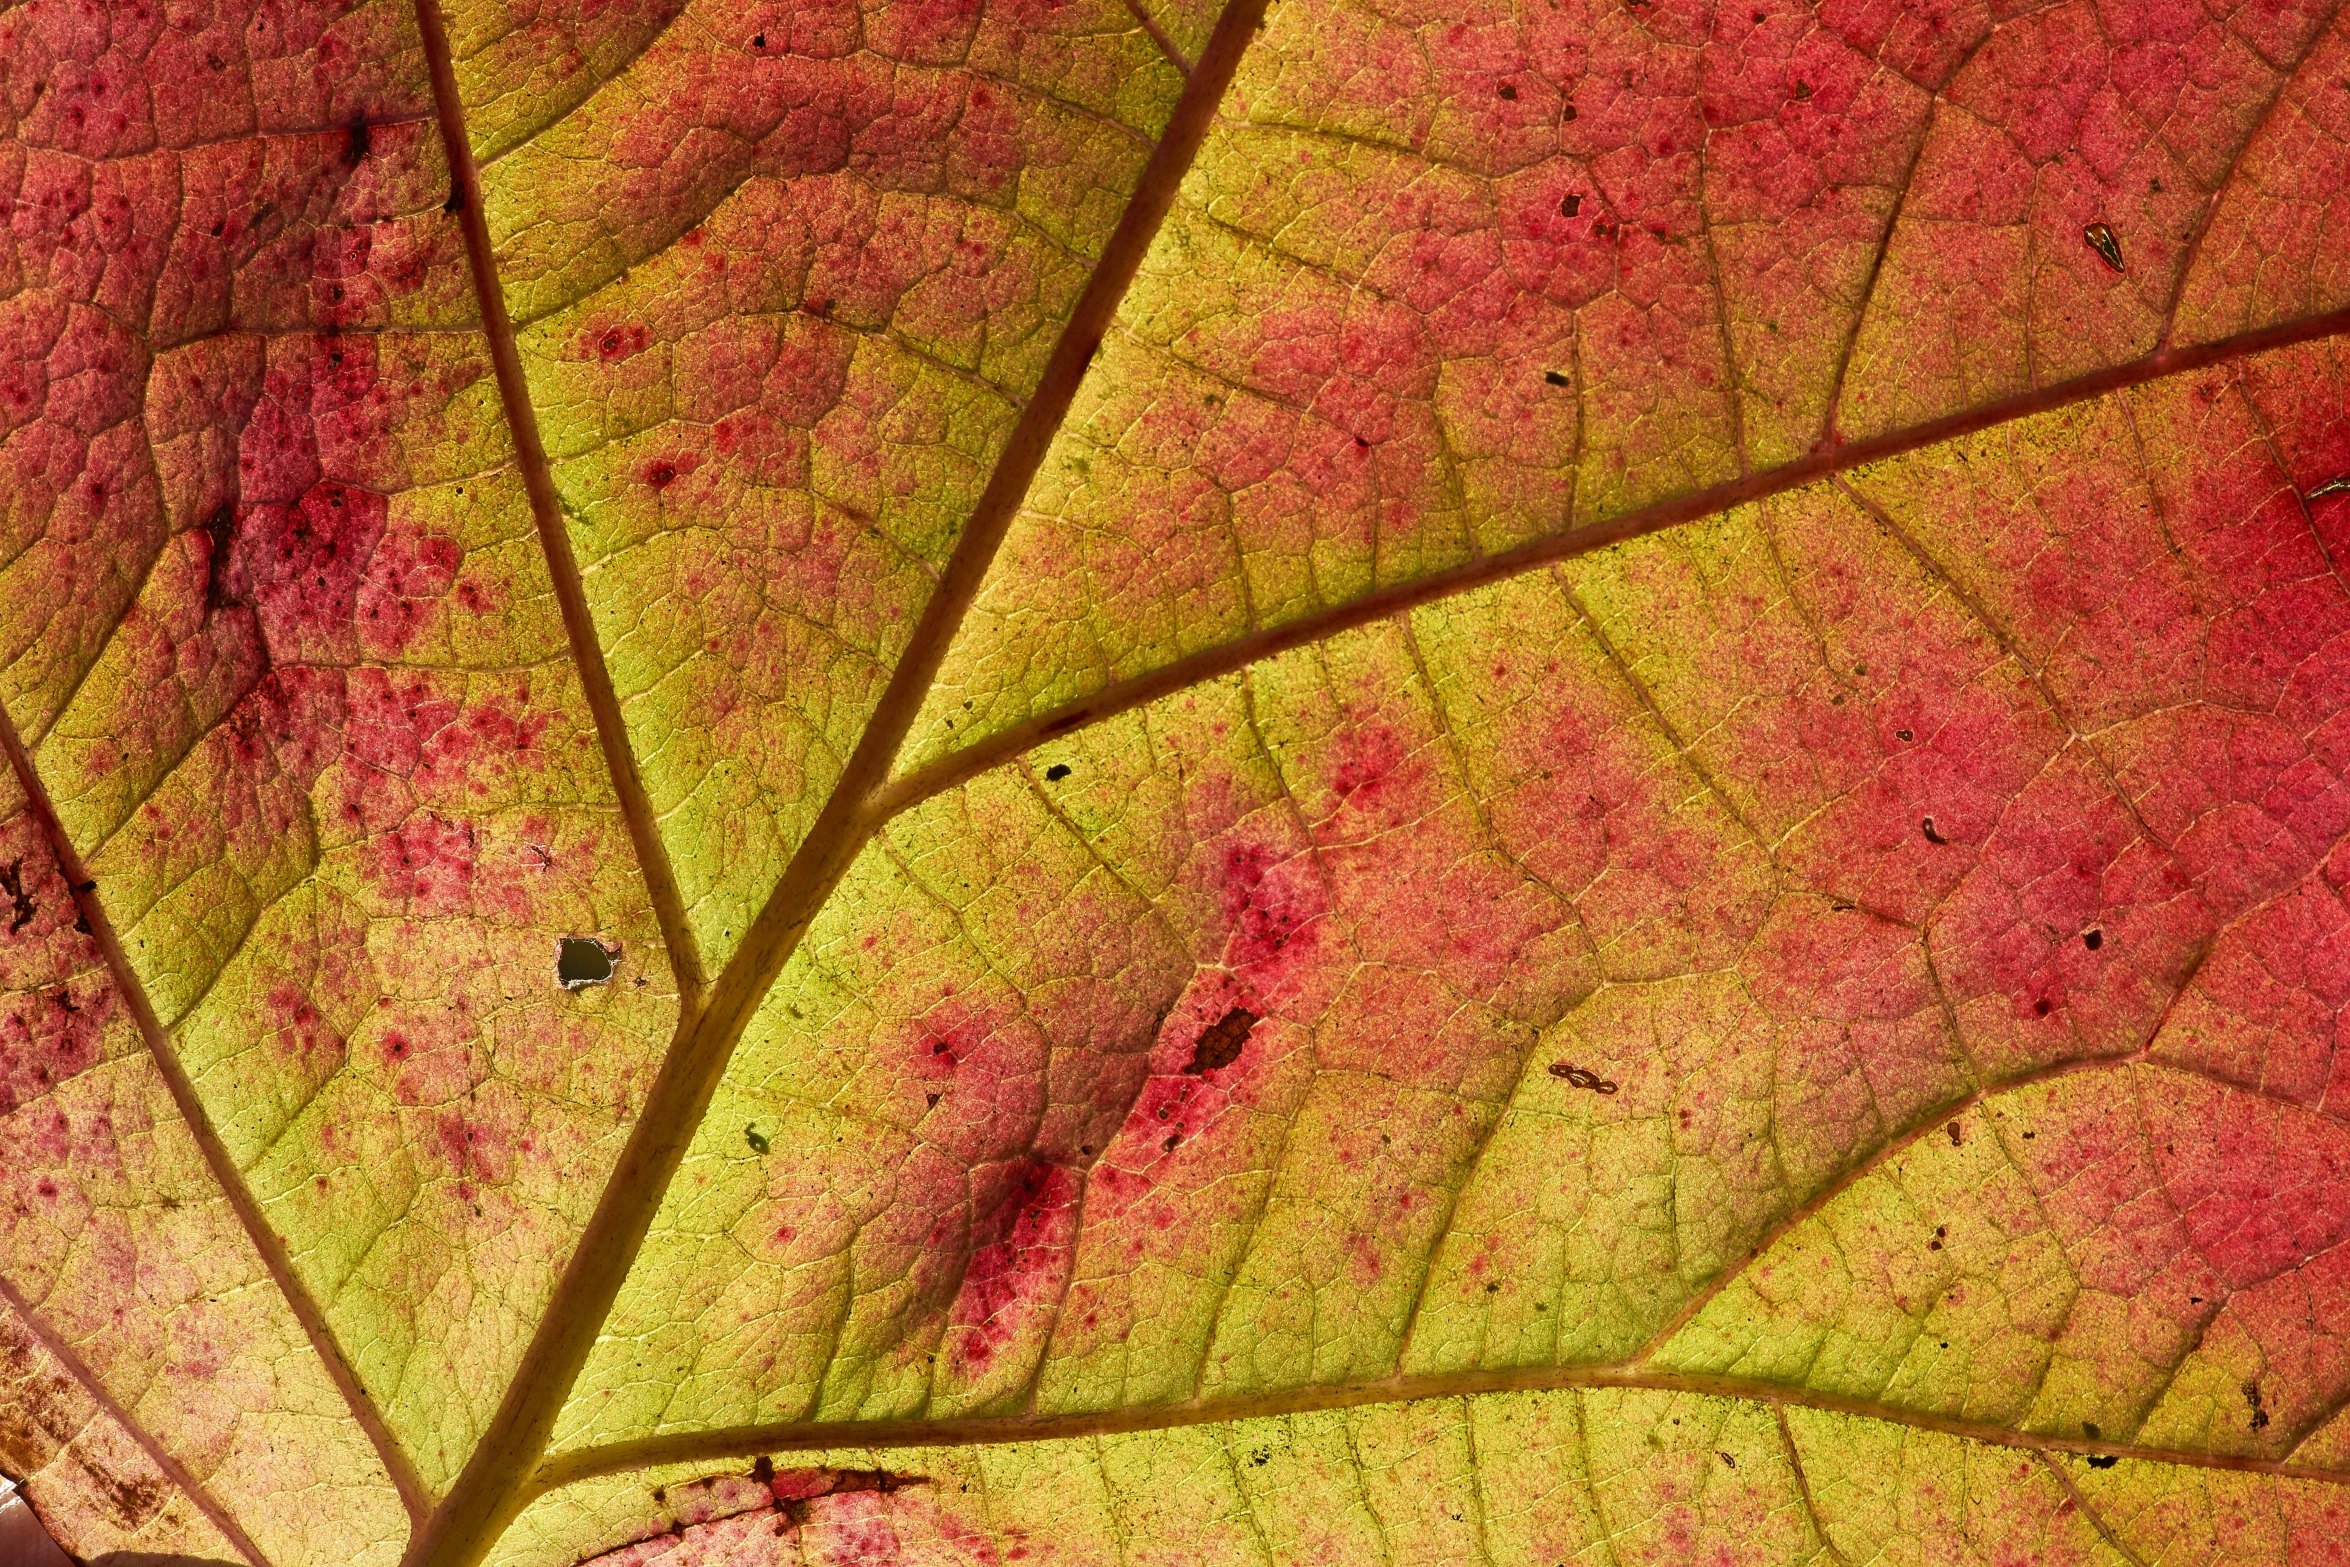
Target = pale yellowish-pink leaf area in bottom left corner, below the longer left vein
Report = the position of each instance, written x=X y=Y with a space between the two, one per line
x=145 y=1347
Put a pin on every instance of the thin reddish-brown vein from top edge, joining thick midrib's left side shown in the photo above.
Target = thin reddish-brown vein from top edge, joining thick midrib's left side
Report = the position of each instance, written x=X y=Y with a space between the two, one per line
x=553 y=527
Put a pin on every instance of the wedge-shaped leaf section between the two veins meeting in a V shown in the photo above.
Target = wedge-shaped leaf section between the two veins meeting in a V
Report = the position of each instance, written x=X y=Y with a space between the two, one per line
x=788 y=278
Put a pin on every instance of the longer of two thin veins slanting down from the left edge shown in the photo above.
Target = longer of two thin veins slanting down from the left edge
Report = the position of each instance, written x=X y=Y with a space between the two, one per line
x=208 y=1138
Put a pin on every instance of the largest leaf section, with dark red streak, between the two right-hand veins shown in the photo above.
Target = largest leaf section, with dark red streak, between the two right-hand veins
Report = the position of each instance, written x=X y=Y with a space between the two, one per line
x=1792 y=948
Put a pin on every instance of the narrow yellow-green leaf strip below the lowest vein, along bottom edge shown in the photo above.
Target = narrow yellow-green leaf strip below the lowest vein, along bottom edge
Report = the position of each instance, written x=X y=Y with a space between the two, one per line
x=1498 y=1479
